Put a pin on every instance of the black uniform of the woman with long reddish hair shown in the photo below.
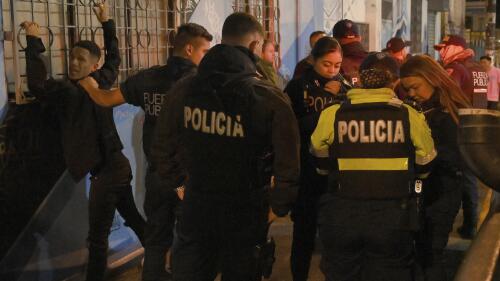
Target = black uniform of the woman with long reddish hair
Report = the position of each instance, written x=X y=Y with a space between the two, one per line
x=442 y=192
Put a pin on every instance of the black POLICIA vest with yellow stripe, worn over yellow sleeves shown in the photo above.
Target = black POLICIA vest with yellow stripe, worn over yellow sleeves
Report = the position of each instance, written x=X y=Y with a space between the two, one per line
x=372 y=153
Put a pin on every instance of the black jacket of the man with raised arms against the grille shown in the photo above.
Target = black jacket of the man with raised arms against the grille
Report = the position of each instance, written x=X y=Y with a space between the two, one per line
x=89 y=134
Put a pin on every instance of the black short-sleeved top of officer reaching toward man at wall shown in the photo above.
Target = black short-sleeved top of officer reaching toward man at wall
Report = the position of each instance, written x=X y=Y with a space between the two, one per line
x=149 y=88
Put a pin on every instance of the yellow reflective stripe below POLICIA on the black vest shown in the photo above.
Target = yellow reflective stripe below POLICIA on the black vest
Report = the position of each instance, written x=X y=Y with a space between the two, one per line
x=373 y=164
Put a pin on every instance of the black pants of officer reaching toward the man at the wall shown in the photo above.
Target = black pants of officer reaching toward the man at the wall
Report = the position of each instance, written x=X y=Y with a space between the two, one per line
x=159 y=206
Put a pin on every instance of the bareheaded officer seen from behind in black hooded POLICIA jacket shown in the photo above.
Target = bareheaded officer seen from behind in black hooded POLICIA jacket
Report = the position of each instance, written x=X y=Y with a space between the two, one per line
x=221 y=136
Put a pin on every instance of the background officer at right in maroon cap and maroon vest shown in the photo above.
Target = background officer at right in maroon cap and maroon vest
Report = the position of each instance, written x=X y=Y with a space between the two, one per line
x=472 y=78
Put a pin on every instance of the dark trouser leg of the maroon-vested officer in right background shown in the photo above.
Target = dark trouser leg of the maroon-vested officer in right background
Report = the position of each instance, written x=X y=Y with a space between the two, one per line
x=469 y=200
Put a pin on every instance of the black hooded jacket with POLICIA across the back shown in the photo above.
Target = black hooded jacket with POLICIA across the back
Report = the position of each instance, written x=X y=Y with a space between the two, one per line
x=216 y=164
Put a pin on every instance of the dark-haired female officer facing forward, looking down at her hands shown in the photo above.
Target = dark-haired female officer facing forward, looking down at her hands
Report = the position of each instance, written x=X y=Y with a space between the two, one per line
x=318 y=88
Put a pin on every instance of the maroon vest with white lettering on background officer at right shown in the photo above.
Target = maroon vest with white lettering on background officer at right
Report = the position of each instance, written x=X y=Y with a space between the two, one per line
x=478 y=90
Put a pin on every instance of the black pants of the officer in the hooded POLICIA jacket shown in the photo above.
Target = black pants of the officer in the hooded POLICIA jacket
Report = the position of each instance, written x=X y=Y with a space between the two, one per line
x=216 y=235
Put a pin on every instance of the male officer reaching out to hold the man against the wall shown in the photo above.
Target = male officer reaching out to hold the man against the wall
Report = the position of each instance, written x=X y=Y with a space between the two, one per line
x=147 y=89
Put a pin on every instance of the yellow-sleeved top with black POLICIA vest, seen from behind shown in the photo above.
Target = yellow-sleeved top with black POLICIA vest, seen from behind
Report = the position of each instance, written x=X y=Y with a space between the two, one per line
x=374 y=145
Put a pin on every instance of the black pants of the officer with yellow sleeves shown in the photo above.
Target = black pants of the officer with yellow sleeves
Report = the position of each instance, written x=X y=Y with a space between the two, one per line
x=365 y=239
